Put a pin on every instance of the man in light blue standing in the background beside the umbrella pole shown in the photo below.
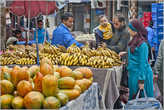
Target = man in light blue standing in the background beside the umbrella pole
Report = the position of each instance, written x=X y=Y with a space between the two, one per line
x=41 y=32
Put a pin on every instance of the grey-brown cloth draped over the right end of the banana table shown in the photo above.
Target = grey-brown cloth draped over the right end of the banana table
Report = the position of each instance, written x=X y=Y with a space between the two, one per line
x=109 y=81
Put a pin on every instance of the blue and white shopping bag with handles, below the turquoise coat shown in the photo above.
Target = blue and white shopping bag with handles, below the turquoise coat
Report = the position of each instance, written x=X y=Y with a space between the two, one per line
x=146 y=103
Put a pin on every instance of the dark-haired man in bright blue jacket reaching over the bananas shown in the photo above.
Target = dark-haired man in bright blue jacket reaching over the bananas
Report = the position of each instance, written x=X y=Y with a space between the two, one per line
x=62 y=35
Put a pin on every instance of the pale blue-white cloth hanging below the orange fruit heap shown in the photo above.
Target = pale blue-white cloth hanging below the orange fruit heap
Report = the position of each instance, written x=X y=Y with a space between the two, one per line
x=86 y=101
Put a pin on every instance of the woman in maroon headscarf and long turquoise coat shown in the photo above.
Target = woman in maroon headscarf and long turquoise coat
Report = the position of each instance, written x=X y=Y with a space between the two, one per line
x=140 y=72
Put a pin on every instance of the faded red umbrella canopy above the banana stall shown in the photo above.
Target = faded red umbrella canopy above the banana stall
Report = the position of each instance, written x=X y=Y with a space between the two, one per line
x=32 y=8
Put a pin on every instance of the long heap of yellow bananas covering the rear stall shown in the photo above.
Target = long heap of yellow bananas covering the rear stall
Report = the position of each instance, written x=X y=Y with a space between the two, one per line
x=101 y=57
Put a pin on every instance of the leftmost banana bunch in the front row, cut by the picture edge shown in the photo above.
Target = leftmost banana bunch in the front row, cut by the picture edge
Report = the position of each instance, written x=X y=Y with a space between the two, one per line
x=6 y=60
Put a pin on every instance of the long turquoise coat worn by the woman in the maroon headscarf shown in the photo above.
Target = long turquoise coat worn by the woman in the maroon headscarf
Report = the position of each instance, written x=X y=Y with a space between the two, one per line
x=139 y=69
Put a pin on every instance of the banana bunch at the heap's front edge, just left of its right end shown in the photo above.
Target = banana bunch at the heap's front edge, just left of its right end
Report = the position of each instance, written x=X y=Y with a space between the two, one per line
x=101 y=62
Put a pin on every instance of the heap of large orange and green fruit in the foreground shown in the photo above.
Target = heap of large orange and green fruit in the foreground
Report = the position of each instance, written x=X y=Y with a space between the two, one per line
x=45 y=86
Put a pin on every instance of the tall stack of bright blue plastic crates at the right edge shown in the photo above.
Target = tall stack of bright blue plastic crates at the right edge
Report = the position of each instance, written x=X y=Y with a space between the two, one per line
x=158 y=20
